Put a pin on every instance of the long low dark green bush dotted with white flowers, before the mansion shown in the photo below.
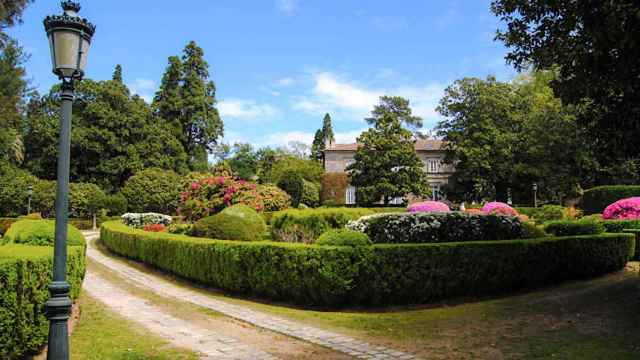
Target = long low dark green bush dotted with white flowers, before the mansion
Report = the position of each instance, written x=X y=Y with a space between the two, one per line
x=417 y=228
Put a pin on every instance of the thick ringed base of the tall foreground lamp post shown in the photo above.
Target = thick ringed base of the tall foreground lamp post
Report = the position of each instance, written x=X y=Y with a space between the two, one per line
x=58 y=309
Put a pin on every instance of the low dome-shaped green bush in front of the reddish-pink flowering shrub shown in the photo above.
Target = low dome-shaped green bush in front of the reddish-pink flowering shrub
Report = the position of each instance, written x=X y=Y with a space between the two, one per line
x=238 y=222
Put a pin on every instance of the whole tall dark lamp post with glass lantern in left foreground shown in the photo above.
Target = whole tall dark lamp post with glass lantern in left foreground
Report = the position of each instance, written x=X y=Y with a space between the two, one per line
x=69 y=39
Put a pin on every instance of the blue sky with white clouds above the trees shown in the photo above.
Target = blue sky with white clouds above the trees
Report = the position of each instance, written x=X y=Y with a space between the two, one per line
x=279 y=65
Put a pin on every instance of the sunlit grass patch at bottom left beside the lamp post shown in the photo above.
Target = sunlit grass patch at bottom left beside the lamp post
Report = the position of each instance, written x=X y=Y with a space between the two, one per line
x=101 y=334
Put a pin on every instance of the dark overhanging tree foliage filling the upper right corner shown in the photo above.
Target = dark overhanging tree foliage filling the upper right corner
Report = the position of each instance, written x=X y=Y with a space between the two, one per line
x=595 y=46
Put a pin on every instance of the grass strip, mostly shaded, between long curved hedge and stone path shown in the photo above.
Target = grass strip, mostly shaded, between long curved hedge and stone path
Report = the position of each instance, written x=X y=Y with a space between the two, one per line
x=585 y=320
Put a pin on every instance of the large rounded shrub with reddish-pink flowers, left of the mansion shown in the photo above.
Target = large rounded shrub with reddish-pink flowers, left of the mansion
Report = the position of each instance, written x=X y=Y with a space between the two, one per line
x=208 y=196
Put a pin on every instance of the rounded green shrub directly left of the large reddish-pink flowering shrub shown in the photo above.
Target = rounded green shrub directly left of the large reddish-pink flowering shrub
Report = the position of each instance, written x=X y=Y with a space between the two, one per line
x=153 y=190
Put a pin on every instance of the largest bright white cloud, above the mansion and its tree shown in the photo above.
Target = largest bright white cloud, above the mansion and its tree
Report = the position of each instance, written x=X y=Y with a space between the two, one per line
x=344 y=98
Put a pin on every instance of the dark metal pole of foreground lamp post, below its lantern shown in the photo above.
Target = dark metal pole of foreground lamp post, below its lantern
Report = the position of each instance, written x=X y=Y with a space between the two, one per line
x=59 y=304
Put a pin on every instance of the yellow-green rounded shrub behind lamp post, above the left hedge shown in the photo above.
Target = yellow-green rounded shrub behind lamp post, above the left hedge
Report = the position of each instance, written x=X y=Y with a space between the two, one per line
x=39 y=233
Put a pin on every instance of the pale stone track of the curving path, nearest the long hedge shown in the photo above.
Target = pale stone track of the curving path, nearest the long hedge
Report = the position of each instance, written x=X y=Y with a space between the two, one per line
x=157 y=284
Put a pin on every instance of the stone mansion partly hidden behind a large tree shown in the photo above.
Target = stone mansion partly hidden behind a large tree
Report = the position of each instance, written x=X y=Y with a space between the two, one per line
x=338 y=156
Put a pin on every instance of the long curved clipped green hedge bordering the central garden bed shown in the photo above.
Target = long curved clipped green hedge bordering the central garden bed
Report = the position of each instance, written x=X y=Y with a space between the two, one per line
x=372 y=275
